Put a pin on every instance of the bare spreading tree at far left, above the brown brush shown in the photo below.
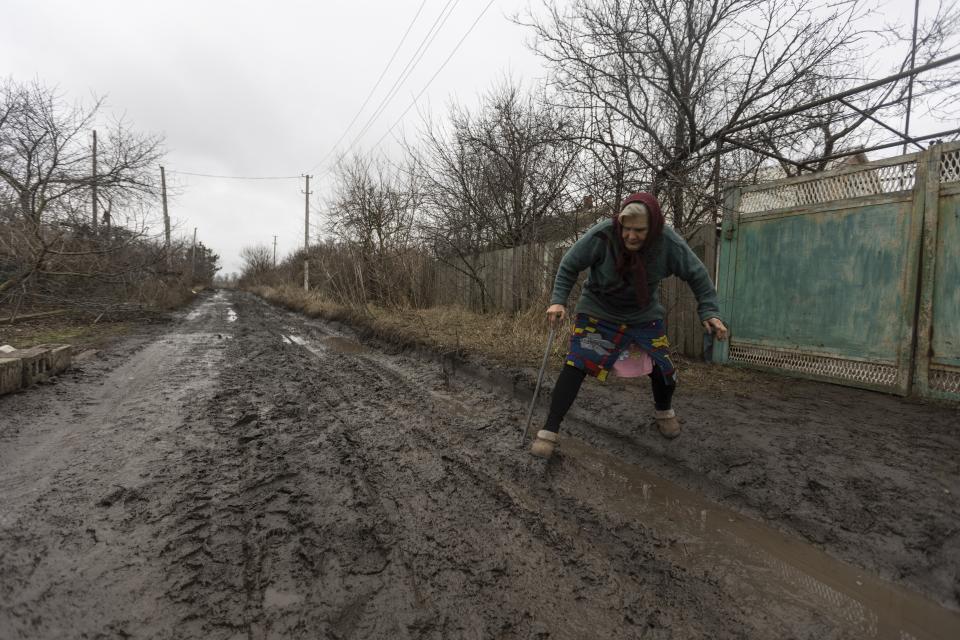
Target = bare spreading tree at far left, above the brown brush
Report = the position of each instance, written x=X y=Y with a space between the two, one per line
x=46 y=177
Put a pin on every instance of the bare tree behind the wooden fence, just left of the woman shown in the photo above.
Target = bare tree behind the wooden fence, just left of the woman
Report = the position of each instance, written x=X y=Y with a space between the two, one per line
x=494 y=178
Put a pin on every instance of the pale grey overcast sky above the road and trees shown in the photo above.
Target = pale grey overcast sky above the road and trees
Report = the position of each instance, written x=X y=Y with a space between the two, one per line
x=261 y=88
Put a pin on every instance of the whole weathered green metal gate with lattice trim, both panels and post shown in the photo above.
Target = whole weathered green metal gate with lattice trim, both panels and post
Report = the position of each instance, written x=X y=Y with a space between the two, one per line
x=820 y=275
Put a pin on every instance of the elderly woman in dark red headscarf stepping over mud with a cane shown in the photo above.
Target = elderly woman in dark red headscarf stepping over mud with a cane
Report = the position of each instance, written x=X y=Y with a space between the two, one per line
x=618 y=309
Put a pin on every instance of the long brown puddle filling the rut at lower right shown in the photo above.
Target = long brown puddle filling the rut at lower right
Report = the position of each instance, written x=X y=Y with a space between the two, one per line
x=756 y=561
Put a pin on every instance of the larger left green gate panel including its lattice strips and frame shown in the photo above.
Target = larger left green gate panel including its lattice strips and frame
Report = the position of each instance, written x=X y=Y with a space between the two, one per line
x=819 y=274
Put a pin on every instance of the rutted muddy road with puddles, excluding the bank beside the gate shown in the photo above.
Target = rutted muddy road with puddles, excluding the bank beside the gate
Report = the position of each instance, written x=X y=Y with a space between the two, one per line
x=249 y=473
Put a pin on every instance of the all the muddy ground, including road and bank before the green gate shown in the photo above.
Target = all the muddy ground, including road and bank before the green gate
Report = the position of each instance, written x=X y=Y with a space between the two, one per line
x=245 y=472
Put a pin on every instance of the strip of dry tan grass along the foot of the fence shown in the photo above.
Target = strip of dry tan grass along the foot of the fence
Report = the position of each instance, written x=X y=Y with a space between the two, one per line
x=512 y=339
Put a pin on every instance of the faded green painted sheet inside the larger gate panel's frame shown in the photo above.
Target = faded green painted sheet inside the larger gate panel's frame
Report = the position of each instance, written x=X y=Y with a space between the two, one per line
x=825 y=282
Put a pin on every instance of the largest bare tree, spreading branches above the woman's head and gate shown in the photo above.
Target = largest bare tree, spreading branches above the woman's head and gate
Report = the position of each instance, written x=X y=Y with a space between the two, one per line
x=669 y=85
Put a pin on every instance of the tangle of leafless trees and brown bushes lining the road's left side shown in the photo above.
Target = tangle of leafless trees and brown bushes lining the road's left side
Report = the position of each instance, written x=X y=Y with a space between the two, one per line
x=54 y=248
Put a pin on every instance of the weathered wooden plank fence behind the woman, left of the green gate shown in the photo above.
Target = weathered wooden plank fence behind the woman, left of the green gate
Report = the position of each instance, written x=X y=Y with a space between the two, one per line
x=516 y=278
